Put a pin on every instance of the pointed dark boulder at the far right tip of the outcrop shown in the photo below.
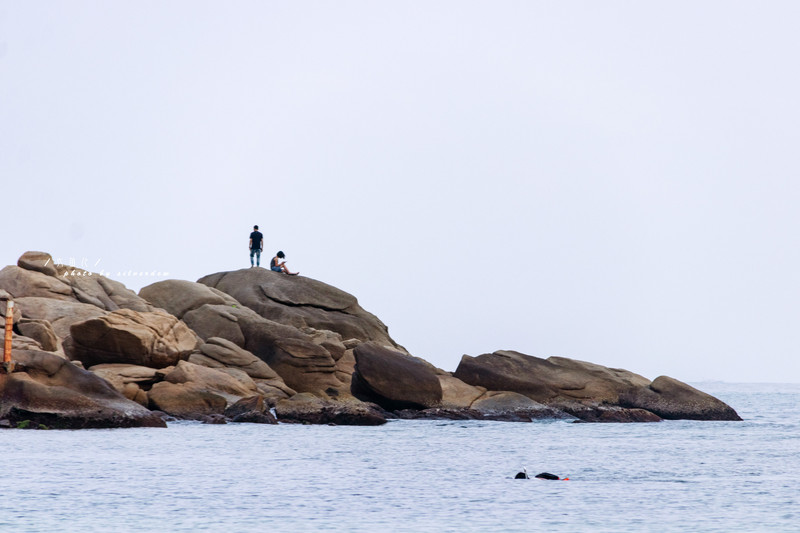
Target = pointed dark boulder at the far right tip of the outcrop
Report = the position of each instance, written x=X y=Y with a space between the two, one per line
x=673 y=399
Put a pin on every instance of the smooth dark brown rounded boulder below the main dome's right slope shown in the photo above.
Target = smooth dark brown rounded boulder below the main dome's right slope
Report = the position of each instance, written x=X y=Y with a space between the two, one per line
x=394 y=380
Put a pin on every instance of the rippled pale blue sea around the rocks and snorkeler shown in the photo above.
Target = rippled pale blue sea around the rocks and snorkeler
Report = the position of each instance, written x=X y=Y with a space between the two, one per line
x=417 y=475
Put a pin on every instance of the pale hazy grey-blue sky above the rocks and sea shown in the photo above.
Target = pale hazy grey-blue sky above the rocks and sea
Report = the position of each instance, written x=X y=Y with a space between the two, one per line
x=615 y=182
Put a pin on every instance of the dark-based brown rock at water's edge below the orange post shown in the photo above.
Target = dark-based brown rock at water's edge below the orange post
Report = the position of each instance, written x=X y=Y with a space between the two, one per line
x=49 y=390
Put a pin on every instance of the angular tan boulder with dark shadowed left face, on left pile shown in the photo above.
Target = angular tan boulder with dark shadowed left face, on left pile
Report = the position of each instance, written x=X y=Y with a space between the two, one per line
x=155 y=339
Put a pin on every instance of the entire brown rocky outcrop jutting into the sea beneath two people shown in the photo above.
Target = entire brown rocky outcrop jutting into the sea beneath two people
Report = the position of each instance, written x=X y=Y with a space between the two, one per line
x=257 y=346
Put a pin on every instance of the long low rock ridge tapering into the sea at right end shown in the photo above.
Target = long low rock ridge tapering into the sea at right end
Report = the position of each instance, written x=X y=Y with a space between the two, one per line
x=588 y=391
